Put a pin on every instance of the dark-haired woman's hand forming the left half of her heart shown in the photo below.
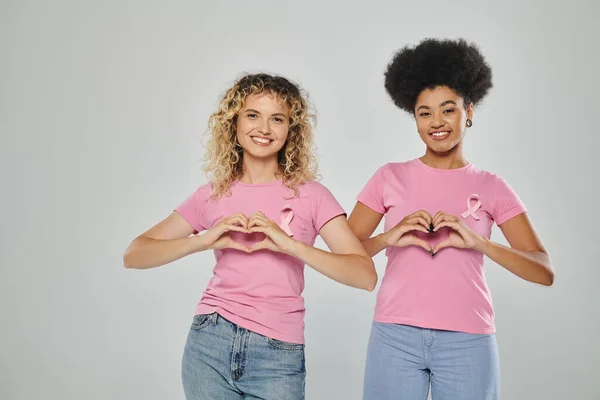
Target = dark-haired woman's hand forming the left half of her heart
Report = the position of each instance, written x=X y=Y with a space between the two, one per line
x=402 y=235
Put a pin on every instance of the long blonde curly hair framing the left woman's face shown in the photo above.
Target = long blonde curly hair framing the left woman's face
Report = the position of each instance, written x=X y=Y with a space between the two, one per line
x=224 y=157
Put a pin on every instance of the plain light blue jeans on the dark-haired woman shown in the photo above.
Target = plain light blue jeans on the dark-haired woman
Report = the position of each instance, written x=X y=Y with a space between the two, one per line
x=402 y=362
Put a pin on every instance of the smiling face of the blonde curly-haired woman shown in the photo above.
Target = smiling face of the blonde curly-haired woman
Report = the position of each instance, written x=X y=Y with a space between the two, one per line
x=263 y=125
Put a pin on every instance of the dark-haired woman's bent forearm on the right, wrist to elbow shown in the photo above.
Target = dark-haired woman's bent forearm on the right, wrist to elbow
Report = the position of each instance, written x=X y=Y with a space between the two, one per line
x=533 y=266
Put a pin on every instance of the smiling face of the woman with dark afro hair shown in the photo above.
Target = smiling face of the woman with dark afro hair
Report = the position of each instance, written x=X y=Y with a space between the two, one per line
x=441 y=117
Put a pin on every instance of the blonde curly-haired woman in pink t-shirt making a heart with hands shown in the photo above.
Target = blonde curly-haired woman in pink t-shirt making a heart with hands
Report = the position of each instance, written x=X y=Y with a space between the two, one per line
x=260 y=213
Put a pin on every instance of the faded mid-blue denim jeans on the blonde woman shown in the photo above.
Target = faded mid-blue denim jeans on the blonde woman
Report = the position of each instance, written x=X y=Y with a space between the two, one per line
x=223 y=361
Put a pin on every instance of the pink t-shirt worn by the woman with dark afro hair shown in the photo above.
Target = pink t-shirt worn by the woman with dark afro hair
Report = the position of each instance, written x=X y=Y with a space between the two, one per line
x=448 y=291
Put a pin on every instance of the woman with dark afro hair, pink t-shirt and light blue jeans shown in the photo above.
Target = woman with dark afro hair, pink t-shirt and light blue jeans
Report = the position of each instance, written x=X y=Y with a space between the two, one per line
x=434 y=319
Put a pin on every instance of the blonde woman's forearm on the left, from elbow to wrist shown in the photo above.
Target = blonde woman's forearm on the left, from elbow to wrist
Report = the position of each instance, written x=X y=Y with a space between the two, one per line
x=144 y=252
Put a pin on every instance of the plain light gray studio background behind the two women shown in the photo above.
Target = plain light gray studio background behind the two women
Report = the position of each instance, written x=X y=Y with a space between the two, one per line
x=102 y=105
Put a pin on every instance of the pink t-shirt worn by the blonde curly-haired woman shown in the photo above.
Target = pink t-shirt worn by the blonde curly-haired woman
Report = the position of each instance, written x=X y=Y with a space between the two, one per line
x=261 y=291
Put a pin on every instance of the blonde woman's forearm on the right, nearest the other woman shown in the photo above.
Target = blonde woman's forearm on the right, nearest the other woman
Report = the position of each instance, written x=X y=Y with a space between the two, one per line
x=349 y=269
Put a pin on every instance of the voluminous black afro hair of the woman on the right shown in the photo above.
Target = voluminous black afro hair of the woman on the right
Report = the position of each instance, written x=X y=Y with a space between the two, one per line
x=433 y=62
